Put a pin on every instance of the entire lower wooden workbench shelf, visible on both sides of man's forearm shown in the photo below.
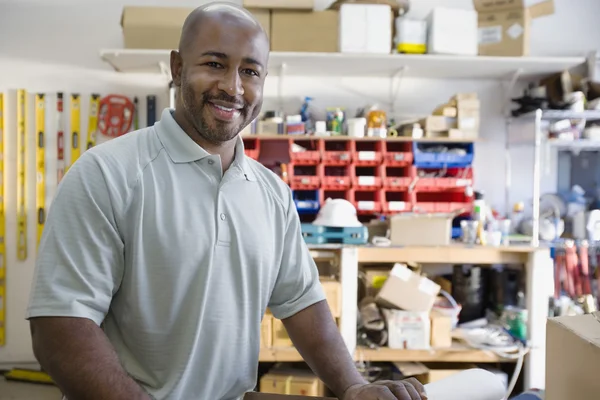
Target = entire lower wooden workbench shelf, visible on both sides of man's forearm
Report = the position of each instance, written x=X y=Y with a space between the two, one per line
x=457 y=353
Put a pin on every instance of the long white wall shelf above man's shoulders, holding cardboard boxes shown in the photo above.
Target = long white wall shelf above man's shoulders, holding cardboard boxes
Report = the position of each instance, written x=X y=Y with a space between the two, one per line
x=369 y=65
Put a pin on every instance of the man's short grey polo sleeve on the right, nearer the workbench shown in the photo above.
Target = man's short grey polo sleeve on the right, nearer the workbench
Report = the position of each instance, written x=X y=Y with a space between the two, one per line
x=297 y=286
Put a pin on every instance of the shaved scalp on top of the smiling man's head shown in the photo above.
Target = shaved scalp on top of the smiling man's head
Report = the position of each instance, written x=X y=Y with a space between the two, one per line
x=225 y=12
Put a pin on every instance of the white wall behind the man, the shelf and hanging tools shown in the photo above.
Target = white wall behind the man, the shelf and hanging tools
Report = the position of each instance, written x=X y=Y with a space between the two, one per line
x=58 y=57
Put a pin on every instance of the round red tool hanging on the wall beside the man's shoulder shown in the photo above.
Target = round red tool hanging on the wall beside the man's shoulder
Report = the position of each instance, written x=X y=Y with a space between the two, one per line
x=115 y=115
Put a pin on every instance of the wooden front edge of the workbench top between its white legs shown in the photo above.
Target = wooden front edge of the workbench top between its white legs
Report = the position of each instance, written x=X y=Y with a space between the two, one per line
x=453 y=254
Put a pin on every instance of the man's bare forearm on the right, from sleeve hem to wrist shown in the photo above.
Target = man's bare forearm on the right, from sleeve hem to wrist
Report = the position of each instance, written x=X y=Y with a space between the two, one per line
x=316 y=336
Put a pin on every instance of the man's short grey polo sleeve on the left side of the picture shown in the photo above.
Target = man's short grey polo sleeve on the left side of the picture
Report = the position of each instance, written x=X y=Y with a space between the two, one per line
x=81 y=254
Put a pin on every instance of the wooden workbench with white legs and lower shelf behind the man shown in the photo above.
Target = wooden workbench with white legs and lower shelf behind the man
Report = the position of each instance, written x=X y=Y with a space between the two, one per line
x=539 y=273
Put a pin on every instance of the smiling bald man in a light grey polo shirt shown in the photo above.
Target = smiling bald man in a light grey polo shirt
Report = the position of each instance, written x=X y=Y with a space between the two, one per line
x=176 y=243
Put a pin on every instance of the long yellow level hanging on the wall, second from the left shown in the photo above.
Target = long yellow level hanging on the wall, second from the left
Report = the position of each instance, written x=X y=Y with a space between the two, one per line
x=21 y=178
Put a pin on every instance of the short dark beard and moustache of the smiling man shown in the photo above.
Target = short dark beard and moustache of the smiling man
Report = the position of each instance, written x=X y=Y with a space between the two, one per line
x=219 y=132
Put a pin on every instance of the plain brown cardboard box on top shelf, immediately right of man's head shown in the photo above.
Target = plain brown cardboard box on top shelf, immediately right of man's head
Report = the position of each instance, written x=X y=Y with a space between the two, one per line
x=316 y=31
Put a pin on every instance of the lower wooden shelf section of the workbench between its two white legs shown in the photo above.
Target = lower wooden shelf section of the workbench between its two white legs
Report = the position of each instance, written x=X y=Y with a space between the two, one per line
x=456 y=353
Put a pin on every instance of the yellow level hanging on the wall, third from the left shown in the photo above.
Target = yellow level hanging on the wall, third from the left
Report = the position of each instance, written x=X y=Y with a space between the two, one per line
x=40 y=158
